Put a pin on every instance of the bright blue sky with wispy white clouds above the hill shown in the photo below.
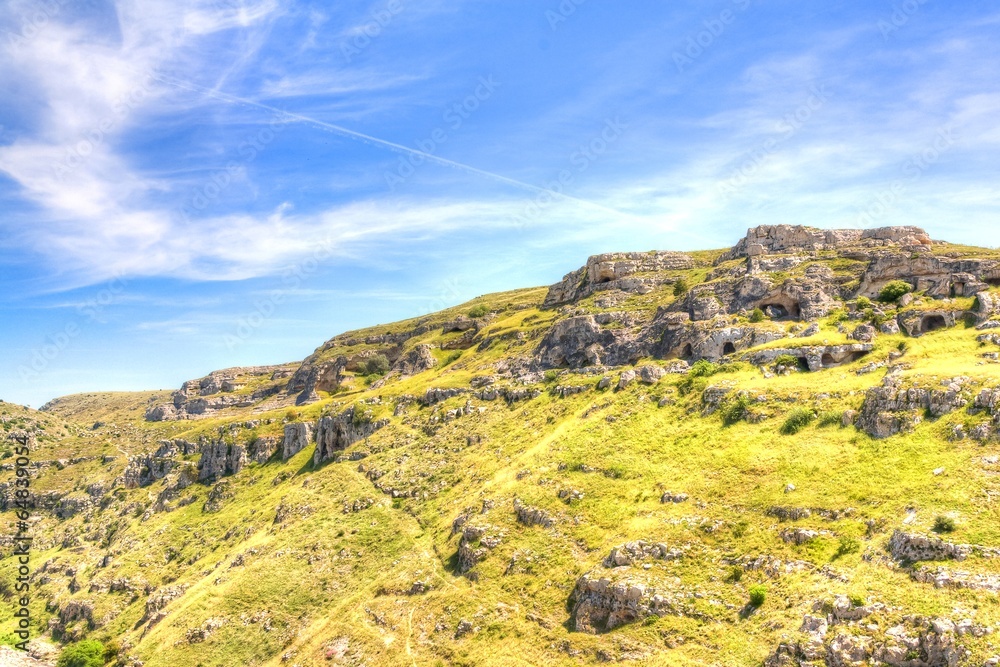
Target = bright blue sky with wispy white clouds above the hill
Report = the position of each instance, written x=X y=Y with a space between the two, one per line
x=188 y=185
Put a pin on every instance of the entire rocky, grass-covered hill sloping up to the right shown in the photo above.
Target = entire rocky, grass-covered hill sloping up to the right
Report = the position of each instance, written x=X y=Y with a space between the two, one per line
x=781 y=453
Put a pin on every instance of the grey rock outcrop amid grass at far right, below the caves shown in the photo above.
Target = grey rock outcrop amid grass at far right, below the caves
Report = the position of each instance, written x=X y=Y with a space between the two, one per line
x=894 y=408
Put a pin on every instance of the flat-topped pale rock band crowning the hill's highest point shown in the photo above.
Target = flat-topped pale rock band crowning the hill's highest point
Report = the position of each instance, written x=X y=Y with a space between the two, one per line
x=783 y=239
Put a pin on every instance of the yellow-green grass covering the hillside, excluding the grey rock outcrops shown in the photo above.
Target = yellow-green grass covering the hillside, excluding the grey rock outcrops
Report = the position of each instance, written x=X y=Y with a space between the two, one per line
x=357 y=561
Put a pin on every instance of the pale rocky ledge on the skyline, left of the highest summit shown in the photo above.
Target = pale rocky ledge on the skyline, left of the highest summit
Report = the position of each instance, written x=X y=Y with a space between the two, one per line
x=620 y=271
